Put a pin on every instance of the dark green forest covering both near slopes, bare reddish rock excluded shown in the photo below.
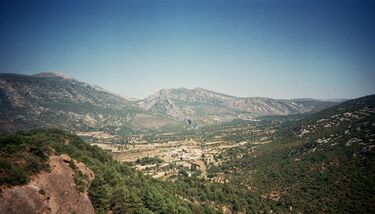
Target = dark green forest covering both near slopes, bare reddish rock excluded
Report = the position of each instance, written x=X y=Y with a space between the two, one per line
x=322 y=164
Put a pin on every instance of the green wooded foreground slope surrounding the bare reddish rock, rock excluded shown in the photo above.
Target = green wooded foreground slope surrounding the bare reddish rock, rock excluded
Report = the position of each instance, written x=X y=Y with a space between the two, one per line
x=116 y=186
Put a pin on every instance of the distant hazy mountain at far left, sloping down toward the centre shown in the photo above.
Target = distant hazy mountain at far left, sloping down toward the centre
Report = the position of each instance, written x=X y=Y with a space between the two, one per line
x=53 y=100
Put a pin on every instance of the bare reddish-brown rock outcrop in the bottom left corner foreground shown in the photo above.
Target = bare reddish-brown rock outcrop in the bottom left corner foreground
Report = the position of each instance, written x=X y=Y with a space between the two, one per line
x=49 y=192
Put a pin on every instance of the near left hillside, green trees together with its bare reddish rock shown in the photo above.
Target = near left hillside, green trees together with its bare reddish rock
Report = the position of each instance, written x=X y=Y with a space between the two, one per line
x=49 y=166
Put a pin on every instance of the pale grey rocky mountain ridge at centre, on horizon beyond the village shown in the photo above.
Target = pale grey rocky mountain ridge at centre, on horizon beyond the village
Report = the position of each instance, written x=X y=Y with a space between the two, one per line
x=208 y=107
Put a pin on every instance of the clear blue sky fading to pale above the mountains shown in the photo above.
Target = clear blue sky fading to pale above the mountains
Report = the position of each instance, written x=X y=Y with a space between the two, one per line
x=279 y=49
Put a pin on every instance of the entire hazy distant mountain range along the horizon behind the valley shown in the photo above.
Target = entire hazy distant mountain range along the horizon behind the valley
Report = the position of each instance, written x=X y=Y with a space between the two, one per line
x=57 y=101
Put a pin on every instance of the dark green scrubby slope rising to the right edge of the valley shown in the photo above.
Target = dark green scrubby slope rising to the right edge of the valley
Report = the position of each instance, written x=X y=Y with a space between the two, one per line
x=322 y=164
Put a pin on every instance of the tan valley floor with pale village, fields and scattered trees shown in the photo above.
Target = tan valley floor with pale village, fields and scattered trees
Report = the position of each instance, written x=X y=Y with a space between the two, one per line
x=190 y=155
